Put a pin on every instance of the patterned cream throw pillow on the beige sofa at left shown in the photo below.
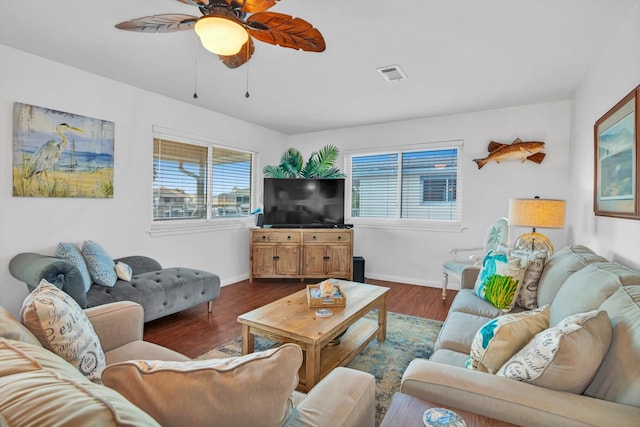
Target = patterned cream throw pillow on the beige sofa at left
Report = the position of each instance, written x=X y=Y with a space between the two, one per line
x=62 y=327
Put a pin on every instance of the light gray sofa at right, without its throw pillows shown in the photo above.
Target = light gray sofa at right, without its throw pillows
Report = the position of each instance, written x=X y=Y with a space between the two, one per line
x=574 y=280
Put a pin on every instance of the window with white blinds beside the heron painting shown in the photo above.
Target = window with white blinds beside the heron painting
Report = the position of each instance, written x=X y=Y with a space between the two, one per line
x=199 y=181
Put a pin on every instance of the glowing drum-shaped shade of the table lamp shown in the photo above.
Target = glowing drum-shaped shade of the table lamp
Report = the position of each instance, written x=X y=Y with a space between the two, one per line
x=542 y=213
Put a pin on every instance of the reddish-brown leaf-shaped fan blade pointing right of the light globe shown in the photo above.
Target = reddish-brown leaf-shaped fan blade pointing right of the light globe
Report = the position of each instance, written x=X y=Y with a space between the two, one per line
x=286 y=31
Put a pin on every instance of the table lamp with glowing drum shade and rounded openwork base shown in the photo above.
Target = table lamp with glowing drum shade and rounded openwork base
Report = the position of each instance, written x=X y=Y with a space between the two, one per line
x=536 y=213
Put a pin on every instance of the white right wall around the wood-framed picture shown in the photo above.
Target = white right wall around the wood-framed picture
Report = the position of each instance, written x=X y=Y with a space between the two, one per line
x=616 y=71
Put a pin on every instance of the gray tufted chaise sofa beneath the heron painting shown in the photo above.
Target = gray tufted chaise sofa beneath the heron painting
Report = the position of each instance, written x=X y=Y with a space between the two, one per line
x=161 y=291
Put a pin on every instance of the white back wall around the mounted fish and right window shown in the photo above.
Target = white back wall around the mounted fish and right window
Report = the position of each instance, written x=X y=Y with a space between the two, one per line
x=416 y=257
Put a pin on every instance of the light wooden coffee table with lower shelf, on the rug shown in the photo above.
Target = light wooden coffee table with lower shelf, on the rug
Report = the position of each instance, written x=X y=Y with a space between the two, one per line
x=291 y=320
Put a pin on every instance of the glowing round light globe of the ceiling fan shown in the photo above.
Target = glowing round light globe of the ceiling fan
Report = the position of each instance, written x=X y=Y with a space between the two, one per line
x=221 y=35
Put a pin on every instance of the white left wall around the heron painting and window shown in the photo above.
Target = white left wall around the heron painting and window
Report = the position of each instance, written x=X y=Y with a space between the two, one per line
x=120 y=224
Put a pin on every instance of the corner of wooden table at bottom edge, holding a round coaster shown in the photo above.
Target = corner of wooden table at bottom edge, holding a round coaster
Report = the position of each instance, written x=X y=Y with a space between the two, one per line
x=406 y=411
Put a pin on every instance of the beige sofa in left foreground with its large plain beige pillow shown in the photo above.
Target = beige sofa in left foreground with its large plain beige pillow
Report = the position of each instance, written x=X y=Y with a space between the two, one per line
x=40 y=388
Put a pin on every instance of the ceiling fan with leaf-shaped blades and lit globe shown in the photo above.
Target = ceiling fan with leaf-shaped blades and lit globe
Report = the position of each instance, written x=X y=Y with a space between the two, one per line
x=226 y=30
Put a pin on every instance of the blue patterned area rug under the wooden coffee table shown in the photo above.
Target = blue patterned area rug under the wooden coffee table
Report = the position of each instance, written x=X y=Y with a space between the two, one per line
x=408 y=338
